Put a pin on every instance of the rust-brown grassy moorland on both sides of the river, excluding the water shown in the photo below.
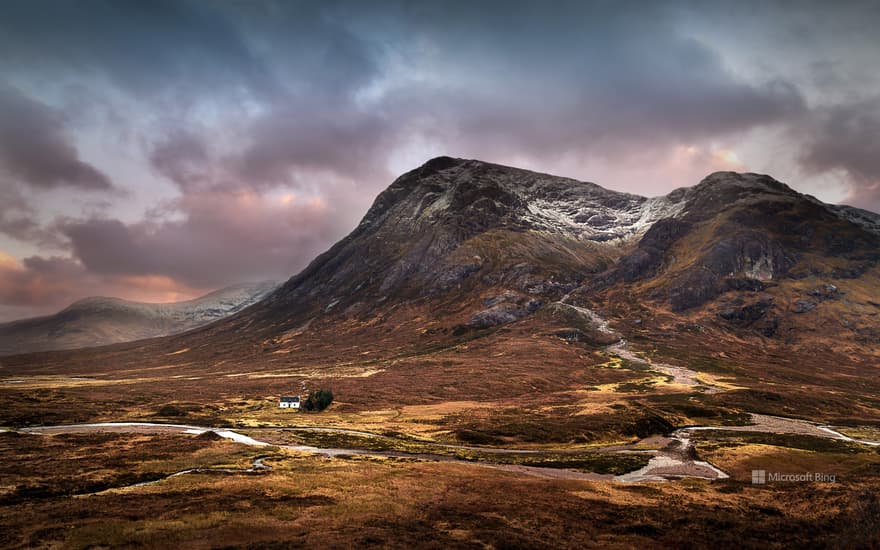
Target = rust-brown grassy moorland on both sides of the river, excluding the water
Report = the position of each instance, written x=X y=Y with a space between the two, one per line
x=410 y=377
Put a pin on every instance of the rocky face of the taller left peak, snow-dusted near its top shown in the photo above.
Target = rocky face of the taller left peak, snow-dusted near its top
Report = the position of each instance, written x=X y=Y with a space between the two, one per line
x=456 y=224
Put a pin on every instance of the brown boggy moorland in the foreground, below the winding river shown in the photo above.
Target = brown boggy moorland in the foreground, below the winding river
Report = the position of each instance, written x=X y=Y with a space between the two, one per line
x=344 y=502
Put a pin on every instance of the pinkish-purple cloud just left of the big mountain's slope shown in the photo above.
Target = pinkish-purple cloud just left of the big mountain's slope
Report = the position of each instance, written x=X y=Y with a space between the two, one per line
x=215 y=238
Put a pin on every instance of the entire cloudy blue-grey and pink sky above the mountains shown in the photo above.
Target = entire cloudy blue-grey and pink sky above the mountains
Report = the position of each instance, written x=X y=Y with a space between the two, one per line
x=159 y=150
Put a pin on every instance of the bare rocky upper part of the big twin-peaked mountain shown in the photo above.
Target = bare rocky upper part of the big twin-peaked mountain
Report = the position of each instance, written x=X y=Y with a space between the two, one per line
x=486 y=244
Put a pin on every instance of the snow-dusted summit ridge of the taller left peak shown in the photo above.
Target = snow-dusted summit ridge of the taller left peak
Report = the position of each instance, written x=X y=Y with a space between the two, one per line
x=493 y=195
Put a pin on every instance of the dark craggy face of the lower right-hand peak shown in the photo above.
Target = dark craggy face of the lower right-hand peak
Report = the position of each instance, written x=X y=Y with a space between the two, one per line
x=744 y=232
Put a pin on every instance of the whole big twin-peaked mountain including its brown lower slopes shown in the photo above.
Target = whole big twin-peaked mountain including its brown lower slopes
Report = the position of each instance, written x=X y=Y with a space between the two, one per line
x=469 y=282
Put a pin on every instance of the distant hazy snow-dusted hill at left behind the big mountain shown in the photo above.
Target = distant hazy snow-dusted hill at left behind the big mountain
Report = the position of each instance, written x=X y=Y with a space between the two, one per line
x=99 y=321
